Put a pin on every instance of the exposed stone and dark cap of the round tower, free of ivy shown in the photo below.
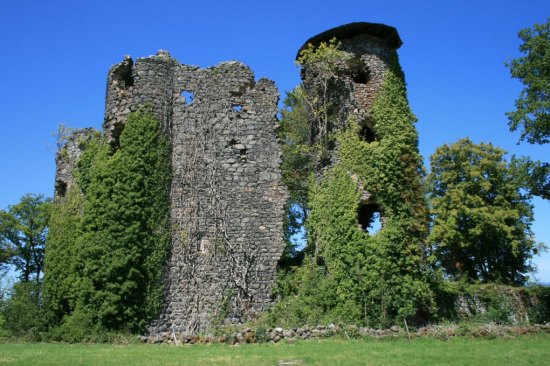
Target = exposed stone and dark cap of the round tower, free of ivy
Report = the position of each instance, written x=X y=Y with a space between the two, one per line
x=372 y=49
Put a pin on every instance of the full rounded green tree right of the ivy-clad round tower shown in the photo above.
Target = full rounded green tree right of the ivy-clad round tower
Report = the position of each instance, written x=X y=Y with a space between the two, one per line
x=481 y=215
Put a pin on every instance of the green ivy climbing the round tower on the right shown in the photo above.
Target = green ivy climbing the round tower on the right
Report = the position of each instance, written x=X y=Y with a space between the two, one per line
x=377 y=278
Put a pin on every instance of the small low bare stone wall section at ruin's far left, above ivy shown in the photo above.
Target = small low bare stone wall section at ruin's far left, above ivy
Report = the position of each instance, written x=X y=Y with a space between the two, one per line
x=66 y=159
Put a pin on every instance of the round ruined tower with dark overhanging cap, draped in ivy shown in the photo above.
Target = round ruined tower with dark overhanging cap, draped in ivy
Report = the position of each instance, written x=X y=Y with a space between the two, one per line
x=368 y=169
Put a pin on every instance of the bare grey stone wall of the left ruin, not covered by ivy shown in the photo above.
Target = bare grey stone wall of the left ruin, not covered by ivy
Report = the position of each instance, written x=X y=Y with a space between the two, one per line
x=227 y=195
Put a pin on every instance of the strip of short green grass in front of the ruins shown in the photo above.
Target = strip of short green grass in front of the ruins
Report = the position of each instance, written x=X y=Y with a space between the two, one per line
x=522 y=350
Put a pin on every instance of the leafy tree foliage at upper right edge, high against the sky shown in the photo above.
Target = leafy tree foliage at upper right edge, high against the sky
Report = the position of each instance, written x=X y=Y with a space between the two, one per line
x=533 y=70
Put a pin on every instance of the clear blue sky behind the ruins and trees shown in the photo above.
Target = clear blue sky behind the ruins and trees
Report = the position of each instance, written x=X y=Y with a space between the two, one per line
x=56 y=54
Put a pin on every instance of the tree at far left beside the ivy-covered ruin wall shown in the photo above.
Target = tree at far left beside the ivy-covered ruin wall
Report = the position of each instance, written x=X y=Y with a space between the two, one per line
x=23 y=230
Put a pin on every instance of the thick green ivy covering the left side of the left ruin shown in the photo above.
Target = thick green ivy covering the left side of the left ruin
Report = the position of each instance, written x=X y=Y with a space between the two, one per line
x=117 y=247
